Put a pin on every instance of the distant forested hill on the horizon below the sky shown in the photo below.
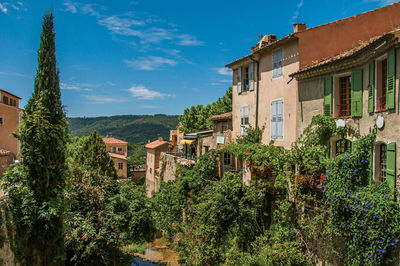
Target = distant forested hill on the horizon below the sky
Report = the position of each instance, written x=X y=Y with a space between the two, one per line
x=131 y=128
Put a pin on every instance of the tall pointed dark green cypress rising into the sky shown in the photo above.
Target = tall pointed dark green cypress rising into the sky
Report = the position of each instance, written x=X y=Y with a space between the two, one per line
x=36 y=187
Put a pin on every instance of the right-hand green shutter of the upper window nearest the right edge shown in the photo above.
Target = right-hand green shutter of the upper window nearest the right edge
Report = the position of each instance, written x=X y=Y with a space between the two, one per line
x=391 y=81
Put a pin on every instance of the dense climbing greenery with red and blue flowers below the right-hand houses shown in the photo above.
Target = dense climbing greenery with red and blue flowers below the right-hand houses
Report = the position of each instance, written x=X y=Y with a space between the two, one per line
x=300 y=208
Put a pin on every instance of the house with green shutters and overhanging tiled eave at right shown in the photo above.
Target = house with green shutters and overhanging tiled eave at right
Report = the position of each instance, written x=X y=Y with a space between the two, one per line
x=359 y=88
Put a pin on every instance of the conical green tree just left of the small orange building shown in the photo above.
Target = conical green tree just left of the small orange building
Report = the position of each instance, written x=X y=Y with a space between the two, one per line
x=93 y=156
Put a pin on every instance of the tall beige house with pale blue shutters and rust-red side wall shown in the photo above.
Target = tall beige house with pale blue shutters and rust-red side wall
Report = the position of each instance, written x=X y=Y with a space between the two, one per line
x=264 y=92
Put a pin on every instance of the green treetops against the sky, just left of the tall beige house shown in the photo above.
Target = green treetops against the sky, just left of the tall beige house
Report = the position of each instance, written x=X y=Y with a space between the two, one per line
x=197 y=117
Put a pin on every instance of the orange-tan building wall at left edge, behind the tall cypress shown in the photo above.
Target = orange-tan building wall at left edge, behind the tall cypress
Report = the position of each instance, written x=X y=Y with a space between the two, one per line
x=10 y=115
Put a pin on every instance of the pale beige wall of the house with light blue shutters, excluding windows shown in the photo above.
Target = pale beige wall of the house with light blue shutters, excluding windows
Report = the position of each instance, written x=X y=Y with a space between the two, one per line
x=270 y=89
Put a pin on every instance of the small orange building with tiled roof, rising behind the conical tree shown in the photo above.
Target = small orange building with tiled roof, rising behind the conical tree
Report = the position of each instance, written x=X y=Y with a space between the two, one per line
x=118 y=151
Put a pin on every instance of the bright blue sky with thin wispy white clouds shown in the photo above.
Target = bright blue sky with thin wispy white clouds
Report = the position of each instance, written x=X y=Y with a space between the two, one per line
x=147 y=57
